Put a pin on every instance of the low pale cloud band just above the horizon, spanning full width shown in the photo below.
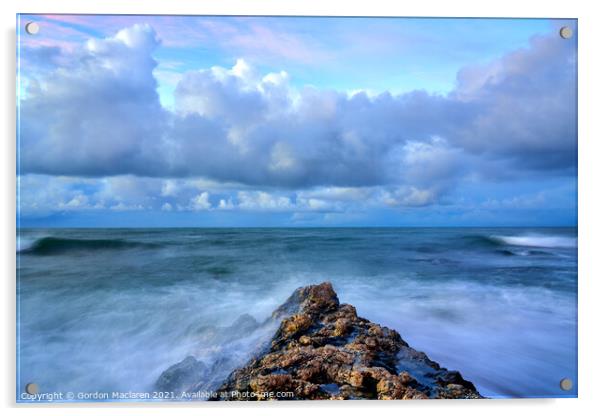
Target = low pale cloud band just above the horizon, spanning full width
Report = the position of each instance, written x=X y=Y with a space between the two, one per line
x=42 y=196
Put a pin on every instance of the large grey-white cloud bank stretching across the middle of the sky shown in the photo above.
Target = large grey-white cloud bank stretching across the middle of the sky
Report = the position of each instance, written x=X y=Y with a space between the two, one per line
x=96 y=113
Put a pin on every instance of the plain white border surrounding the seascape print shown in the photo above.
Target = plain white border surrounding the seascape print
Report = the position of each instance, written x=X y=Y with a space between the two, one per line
x=590 y=177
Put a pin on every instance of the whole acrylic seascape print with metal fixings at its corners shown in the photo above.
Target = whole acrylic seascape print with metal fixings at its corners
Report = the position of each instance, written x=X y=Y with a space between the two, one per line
x=307 y=208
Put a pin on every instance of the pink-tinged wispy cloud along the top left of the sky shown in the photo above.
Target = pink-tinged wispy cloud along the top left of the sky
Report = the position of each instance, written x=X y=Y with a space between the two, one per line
x=245 y=36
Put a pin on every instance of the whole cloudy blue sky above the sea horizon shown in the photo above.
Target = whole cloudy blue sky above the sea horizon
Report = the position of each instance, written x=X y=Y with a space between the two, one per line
x=160 y=121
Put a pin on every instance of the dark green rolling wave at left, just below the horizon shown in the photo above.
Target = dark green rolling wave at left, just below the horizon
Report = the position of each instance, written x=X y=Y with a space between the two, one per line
x=57 y=245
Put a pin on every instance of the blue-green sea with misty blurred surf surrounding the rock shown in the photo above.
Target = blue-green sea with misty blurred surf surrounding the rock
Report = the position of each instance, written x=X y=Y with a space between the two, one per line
x=105 y=310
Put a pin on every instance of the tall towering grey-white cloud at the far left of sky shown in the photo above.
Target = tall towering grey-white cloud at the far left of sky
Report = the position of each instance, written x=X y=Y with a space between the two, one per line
x=97 y=114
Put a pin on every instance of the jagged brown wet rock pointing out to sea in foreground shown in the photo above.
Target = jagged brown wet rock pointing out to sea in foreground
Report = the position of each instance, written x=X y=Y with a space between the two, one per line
x=323 y=350
